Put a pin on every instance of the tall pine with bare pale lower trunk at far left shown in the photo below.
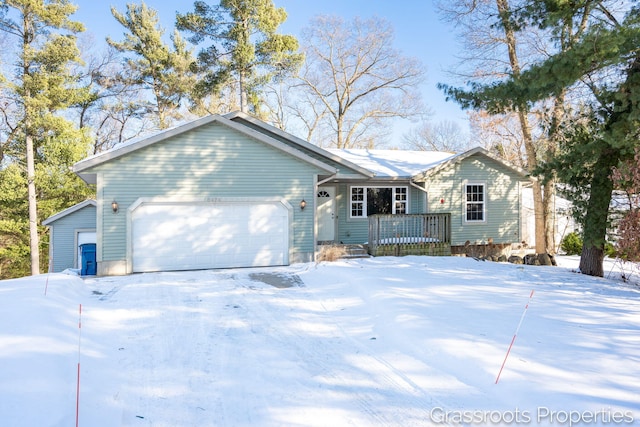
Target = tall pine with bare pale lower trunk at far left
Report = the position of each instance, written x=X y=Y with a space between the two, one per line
x=40 y=86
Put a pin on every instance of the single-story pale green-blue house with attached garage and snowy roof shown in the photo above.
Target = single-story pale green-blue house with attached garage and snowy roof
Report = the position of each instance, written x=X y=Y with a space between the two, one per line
x=232 y=191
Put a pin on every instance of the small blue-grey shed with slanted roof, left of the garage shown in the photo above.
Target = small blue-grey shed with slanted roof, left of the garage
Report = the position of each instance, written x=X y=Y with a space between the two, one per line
x=69 y=232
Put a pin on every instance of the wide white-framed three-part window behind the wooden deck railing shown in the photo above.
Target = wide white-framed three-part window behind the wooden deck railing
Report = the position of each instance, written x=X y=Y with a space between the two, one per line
x=367 y=201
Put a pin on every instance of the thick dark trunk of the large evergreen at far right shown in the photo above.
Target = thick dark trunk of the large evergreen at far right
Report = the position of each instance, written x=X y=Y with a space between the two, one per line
x=595 y=222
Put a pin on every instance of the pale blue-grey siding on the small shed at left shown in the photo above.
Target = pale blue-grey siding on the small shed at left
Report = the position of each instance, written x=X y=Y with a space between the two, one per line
x=63 y=236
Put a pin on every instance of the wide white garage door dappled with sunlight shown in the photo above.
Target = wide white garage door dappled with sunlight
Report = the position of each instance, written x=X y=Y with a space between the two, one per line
x=191 y=236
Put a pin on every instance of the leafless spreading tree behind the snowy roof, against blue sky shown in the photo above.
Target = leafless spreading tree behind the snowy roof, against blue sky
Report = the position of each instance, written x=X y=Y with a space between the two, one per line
x=358 y=78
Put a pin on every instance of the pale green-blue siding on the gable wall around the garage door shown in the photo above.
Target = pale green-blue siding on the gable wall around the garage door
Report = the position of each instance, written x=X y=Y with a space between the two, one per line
x=208 y=162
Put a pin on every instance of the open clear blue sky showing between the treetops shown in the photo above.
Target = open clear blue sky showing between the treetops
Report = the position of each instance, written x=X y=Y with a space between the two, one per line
x=419 y=33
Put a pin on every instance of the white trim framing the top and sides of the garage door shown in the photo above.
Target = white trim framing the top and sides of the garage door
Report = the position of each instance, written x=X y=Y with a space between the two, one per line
x=200 y=201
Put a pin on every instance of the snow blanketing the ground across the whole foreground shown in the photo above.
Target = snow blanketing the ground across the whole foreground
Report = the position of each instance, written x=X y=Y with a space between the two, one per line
x=411 y=341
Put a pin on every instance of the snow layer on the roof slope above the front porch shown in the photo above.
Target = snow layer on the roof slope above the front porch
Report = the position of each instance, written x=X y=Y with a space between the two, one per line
x=394 y=163
